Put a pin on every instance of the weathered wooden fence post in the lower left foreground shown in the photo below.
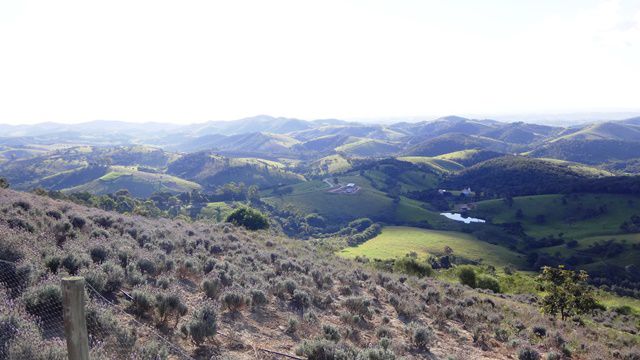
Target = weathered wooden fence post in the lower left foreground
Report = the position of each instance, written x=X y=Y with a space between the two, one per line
x=75 y=323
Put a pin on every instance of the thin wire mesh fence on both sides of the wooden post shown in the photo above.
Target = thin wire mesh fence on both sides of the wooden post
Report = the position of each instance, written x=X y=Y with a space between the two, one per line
x=32 y=322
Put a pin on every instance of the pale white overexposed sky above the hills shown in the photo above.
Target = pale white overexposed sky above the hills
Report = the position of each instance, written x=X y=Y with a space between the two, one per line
x=188 y=61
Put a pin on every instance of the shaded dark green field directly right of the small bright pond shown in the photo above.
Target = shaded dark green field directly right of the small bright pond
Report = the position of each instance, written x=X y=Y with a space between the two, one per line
x=576 y=217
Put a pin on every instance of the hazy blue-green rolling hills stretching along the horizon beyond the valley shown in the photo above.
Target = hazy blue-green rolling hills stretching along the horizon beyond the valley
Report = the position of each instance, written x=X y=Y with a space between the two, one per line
x=269 y=151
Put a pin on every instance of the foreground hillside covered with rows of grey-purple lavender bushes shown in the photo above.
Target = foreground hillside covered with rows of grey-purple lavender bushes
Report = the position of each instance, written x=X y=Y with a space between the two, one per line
x=265 y=292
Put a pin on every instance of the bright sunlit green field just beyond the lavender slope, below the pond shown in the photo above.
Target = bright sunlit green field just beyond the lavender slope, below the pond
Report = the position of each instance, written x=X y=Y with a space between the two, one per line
x=397 y=241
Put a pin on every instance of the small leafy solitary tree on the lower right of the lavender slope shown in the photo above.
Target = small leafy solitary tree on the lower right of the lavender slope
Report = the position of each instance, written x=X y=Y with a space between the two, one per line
x=567 y=292
